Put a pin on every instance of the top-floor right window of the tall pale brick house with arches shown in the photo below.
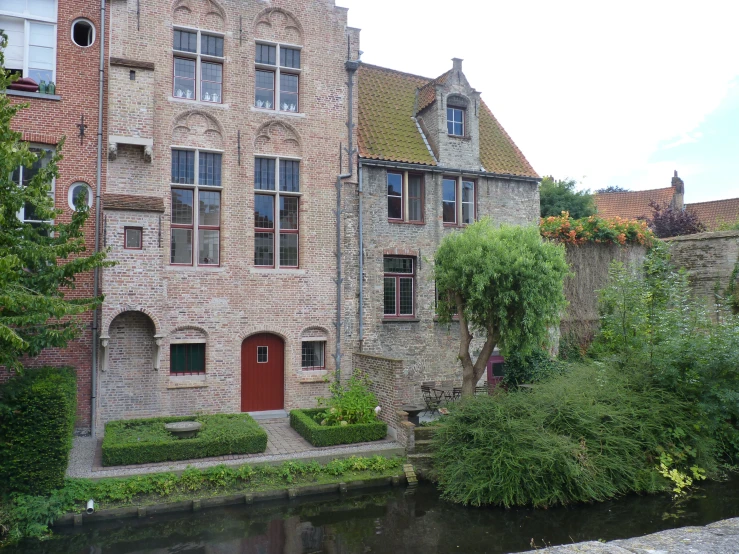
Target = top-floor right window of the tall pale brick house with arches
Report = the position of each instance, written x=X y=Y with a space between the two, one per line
x=277 y=81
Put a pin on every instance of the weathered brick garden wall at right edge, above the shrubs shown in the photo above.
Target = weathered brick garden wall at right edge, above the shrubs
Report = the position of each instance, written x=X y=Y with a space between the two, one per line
x=709 y=258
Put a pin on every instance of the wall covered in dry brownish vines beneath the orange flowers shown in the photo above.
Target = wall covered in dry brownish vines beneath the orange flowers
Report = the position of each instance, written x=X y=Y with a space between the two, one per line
x=590 y=263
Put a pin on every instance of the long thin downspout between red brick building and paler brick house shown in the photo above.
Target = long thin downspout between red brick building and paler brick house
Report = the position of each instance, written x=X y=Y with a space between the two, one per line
x=99 y=178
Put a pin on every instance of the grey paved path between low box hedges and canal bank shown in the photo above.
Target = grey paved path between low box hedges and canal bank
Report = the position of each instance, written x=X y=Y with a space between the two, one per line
x=283 y=443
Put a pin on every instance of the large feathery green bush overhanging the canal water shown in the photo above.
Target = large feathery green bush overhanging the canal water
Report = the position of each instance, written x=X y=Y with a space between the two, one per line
x=589 y=435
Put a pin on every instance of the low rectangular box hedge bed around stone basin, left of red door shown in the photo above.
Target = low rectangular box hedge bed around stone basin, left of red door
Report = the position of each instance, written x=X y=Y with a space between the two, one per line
x=142 y=441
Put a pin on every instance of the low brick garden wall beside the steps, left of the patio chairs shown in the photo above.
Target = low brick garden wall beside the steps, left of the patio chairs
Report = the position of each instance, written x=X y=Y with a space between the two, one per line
x=392 y=389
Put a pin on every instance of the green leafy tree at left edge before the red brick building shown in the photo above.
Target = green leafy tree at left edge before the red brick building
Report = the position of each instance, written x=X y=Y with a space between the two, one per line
x=39 y=262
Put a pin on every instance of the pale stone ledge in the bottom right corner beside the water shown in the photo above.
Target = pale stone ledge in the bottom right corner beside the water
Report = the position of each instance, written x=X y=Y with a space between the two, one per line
x=721 y=537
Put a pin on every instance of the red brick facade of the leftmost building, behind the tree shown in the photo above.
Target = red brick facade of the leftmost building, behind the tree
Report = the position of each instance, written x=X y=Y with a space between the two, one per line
x=47 y=119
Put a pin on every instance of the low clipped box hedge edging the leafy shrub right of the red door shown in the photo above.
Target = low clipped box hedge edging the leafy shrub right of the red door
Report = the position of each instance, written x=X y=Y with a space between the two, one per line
x=327 y=435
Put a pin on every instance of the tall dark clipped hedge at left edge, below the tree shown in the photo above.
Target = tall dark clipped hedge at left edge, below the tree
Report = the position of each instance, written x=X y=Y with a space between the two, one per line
x=37 y=415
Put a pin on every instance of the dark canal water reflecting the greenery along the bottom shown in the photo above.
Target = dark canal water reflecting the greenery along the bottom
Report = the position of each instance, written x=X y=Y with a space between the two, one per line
x=393 y=521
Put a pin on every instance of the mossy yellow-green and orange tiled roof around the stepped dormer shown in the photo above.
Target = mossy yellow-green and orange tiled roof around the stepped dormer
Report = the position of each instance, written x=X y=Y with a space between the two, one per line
x=387 y=130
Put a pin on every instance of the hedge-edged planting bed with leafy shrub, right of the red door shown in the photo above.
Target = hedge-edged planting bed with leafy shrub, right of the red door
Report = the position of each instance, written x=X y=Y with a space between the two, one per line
x=348 y=416
